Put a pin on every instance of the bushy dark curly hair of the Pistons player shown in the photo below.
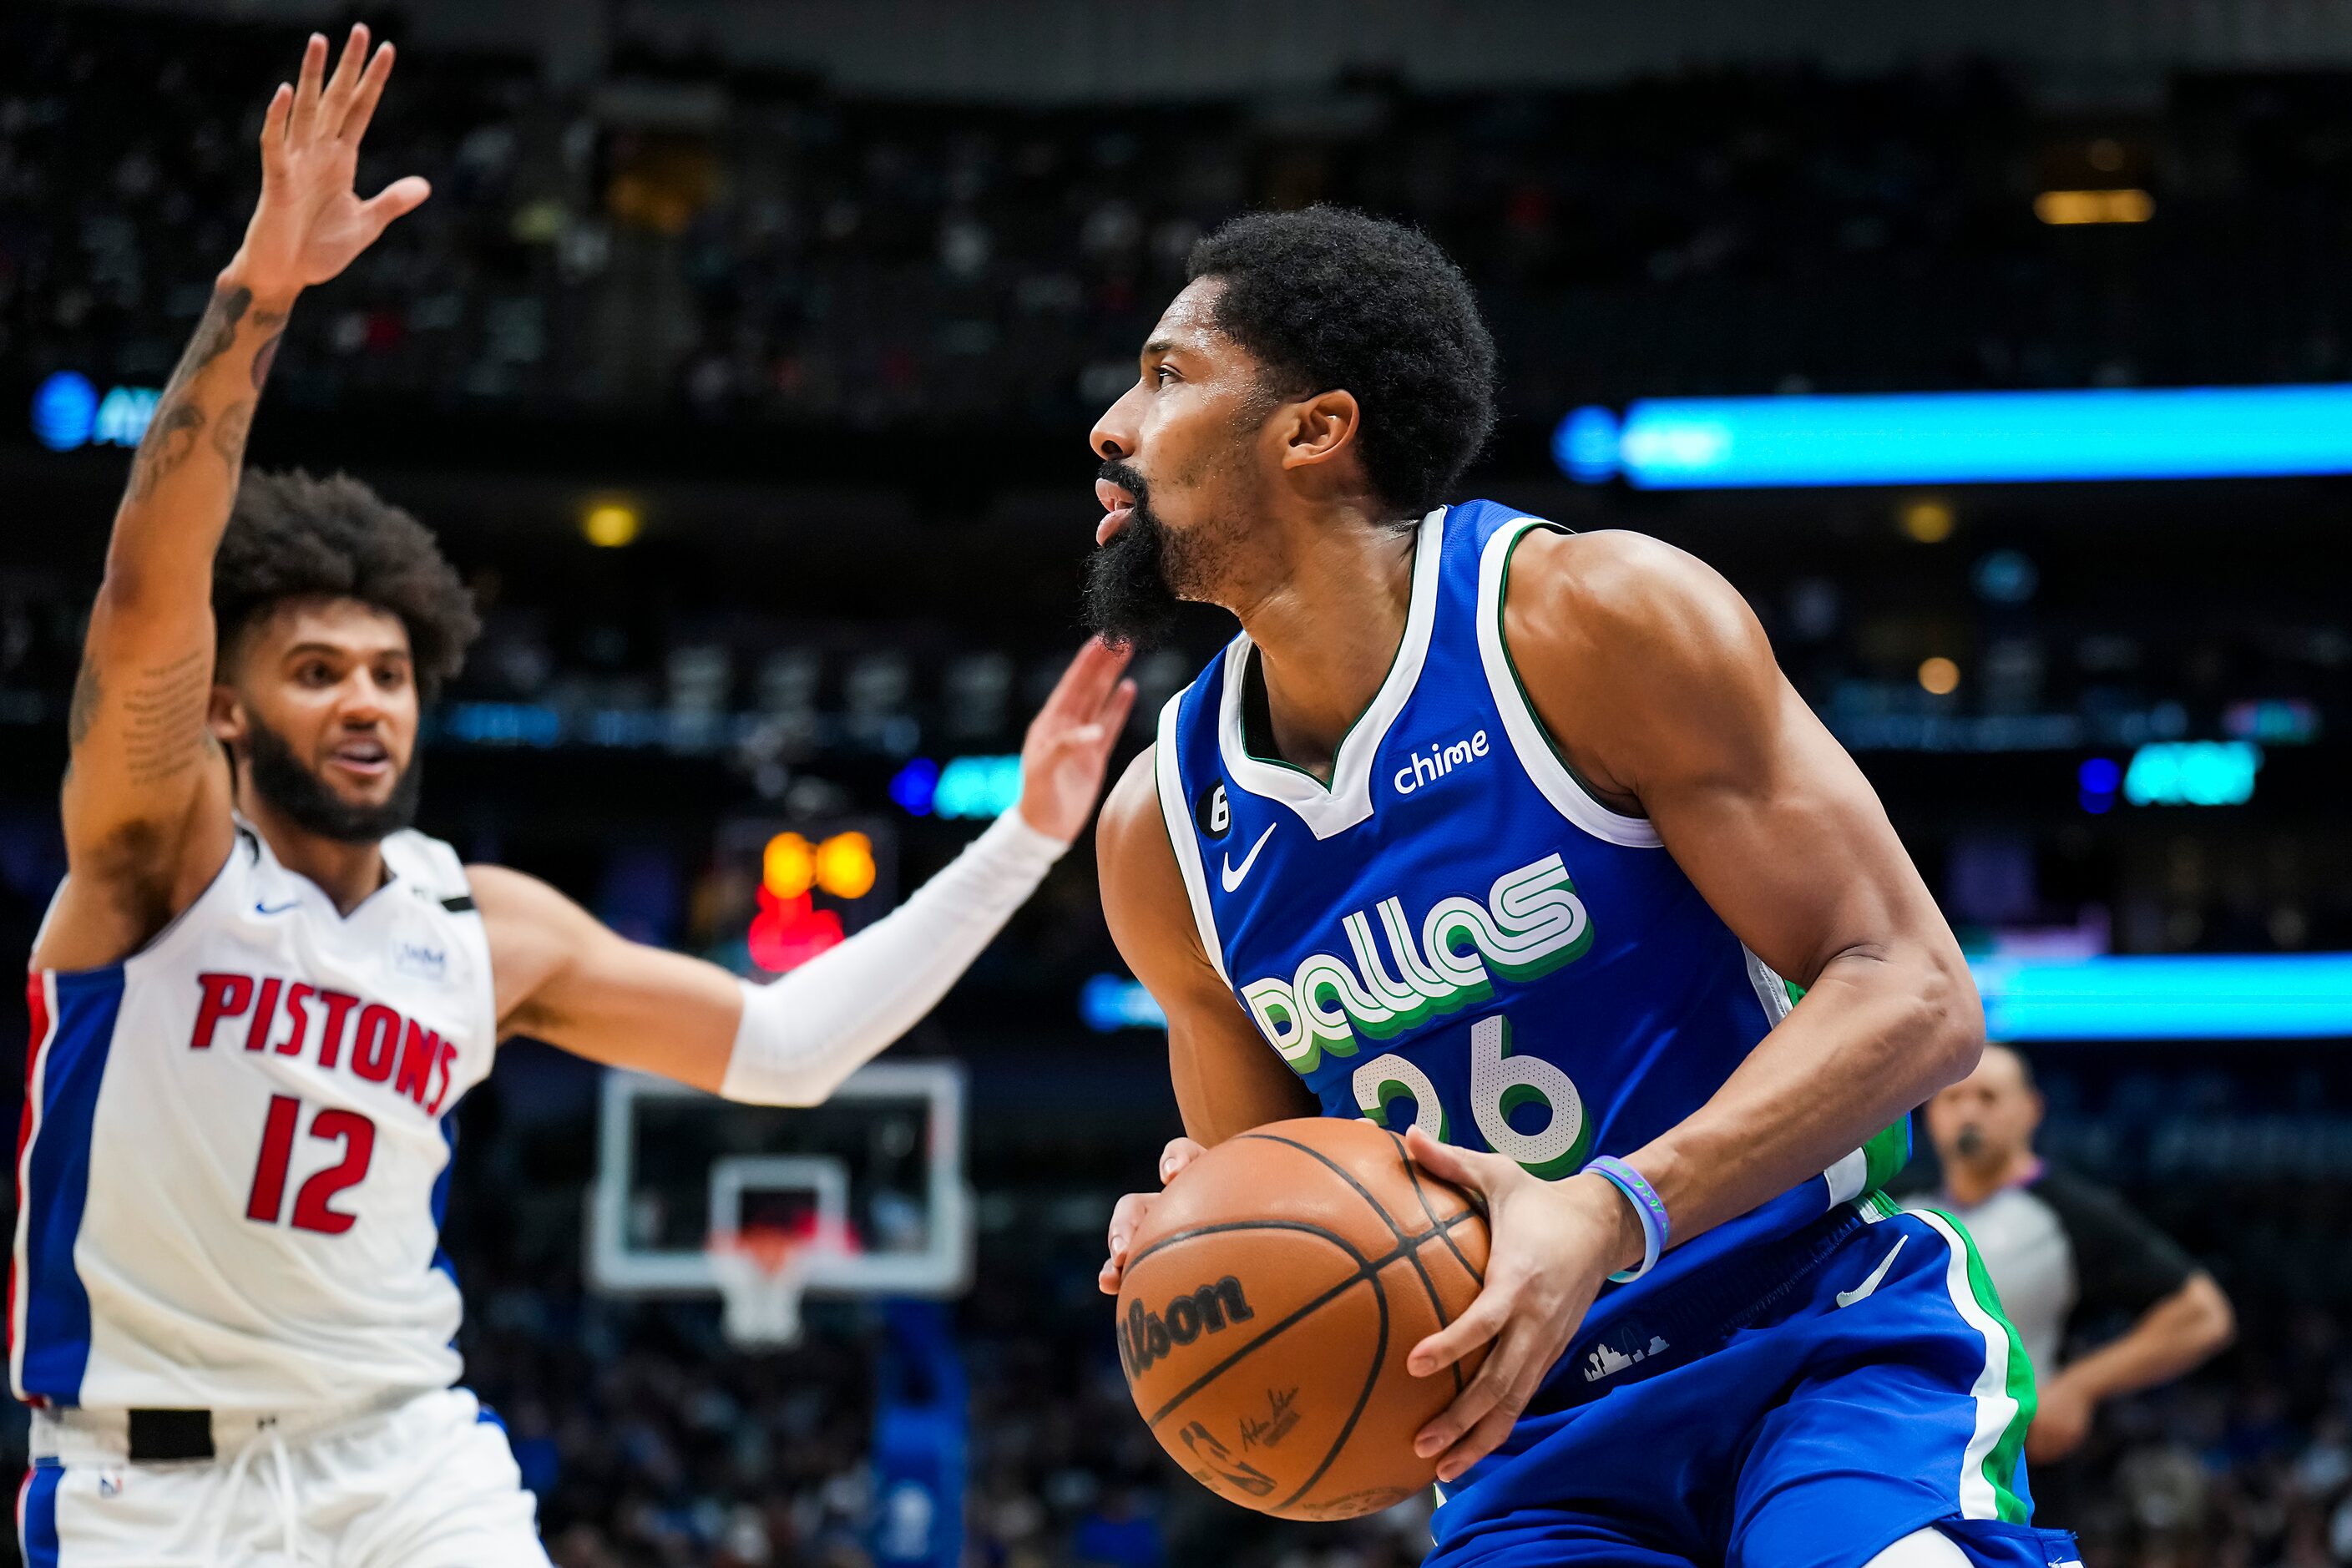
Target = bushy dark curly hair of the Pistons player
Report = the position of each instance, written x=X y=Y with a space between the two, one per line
x=293 y=537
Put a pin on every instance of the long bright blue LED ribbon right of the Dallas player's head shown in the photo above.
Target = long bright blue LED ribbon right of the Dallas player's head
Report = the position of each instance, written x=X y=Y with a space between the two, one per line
x=1963 y=438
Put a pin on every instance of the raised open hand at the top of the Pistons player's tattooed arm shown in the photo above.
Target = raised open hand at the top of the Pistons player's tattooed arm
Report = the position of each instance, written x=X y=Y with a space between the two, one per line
x=312 y=222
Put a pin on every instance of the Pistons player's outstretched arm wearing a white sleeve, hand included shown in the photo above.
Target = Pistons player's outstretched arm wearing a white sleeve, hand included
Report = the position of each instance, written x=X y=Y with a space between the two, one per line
x=575 y=984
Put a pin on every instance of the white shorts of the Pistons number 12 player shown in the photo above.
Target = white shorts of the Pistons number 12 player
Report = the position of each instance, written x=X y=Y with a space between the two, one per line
x=406 y=1482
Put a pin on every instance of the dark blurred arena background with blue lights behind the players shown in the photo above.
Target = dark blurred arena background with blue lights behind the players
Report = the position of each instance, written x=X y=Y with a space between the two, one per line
x=744 y=363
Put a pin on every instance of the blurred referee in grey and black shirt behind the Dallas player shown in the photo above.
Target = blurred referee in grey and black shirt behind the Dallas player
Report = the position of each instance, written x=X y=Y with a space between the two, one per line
x=2062 y=1254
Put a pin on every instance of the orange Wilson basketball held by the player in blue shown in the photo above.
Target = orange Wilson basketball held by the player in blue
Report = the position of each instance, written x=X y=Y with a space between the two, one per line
x=1269 y=1304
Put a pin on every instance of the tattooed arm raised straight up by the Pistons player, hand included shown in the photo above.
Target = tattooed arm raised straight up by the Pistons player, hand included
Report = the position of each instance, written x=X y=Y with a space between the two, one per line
x=147 y=798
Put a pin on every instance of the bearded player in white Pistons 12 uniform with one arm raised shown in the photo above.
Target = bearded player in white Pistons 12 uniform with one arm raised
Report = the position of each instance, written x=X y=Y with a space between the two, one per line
x=260 y=996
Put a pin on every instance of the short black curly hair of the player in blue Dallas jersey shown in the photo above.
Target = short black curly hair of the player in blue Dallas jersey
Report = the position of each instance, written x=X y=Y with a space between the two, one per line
x=1339 y=300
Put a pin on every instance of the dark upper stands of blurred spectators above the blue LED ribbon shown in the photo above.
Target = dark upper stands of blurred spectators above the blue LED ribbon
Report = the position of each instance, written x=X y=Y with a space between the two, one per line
x=728 y=246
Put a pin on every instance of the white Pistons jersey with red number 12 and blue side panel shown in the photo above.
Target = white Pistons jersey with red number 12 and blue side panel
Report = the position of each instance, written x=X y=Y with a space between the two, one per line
x=236 y=1146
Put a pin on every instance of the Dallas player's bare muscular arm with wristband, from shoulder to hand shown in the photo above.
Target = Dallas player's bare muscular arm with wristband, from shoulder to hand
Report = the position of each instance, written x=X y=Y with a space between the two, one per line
x=1662 y=692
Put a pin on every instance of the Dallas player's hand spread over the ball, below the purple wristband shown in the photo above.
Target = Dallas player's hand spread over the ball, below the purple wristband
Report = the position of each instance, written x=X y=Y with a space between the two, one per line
x=1553 y=1247
